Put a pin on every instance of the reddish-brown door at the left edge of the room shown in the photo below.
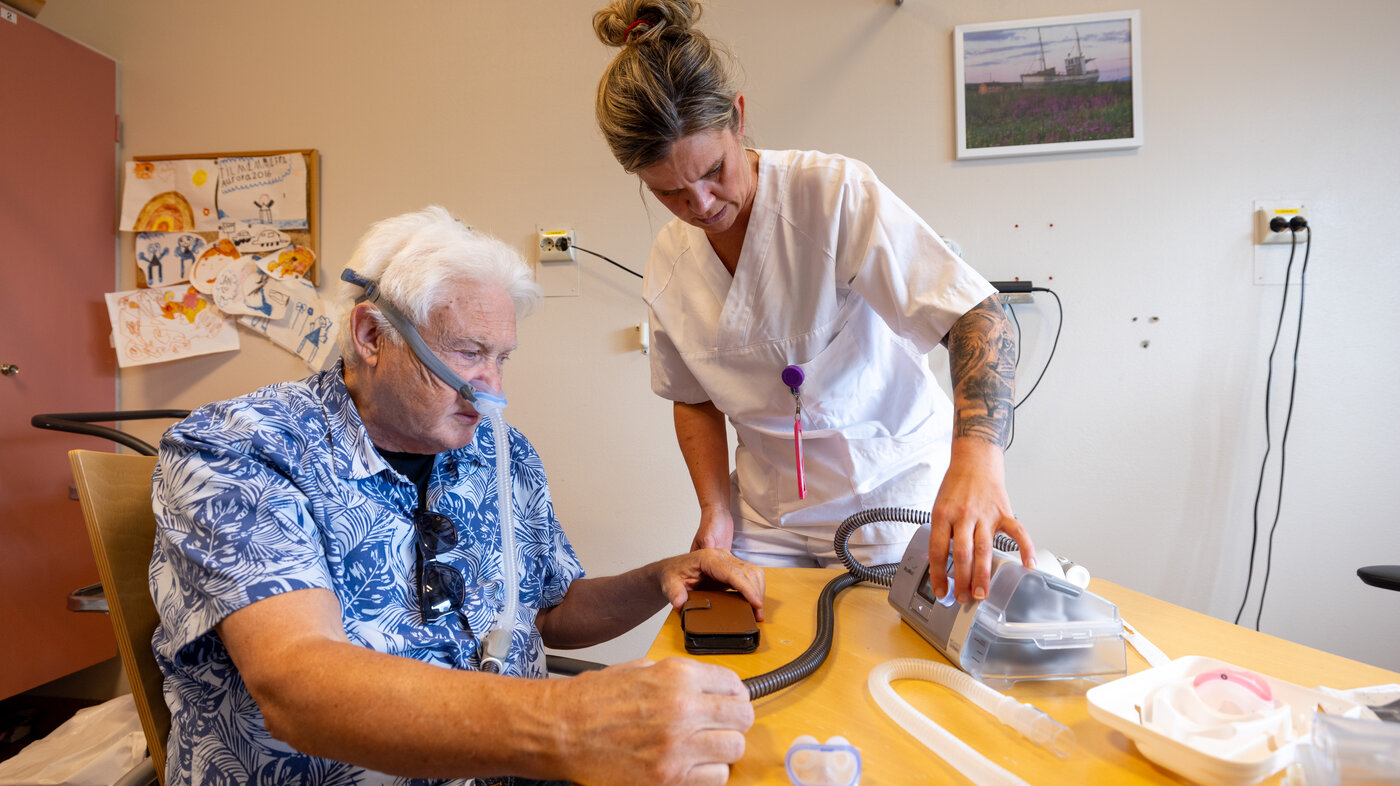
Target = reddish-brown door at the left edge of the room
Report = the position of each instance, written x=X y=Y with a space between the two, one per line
x=58 y=250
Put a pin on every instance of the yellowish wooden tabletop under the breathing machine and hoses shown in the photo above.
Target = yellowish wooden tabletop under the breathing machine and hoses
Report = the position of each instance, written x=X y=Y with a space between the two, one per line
x=869 y=631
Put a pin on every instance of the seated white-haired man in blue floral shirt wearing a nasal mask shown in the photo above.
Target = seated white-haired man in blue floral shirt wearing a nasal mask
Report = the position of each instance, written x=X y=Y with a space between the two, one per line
x=328 y=567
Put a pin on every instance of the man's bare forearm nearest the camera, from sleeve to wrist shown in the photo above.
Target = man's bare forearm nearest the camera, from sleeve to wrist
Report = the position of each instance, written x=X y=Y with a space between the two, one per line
x=314 y=689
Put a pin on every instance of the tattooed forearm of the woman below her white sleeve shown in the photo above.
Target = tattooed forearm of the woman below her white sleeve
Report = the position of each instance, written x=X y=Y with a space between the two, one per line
x=982 y=357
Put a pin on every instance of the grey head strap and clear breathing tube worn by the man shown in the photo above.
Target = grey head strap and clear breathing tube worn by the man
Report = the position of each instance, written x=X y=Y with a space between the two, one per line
x=498 y=645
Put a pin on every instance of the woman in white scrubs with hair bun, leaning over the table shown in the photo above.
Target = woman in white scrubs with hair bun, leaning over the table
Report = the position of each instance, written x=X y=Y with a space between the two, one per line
x=783 y=258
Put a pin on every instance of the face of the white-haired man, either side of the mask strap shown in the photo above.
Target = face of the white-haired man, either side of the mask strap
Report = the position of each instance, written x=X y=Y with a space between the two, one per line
x=409 y=410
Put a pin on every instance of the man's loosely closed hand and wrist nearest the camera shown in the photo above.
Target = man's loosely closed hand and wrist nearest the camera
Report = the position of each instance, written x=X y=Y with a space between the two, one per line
x=677 y=722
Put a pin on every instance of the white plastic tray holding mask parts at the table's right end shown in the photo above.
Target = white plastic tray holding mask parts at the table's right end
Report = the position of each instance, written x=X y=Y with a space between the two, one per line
x=1116 y=704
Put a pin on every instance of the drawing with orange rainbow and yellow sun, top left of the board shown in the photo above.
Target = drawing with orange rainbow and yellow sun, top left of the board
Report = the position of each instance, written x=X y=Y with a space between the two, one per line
x=170 y=197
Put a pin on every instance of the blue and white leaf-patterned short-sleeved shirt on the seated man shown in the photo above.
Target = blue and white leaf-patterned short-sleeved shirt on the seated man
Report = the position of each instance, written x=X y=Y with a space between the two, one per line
x=281 y=491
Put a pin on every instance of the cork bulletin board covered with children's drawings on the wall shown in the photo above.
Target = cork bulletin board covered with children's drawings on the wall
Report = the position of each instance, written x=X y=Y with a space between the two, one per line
x=225 y=243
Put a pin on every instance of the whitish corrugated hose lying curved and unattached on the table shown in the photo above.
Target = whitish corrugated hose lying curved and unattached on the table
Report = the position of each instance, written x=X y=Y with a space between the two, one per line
x=1024 y=718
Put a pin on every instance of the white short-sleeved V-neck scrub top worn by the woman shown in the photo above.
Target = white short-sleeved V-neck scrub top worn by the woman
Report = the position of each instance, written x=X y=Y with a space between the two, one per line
x=839 y=277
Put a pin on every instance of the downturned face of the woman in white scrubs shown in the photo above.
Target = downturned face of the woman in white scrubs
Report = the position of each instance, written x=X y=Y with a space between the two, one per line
x=706 y=181
